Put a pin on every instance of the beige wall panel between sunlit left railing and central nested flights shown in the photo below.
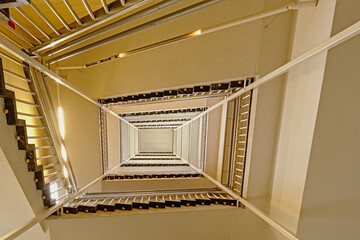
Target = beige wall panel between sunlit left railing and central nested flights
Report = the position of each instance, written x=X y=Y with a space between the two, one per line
x=82 y=138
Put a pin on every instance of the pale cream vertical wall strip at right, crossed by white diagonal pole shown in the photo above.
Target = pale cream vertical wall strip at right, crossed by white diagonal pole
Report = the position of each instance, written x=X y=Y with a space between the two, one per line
x=299 y=111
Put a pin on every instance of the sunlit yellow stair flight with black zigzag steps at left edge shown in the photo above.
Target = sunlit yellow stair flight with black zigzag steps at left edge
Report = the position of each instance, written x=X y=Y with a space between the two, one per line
x=23 y=110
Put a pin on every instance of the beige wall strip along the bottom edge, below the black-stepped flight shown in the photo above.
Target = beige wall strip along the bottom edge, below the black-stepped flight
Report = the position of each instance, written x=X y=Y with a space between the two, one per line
x=212 y=223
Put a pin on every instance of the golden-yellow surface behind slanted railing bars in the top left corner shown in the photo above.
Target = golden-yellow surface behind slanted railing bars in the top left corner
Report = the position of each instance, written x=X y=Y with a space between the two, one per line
x=43 y=22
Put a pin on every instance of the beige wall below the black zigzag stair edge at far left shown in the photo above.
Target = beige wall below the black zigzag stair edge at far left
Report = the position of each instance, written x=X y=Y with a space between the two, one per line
x=19 y=201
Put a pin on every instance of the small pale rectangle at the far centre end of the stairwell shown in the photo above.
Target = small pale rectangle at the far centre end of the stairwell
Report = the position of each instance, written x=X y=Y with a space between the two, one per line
x=155 y=140
